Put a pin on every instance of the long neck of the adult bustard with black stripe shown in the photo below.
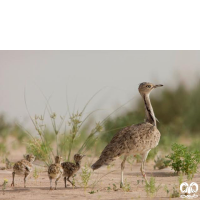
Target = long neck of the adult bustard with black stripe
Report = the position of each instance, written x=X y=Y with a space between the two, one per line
x=150 y=117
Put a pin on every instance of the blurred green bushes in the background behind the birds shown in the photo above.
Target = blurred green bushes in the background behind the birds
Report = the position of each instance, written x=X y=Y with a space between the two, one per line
x=177 y=110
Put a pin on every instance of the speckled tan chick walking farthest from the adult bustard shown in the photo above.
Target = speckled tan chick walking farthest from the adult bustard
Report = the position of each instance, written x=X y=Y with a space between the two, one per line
x=23 y=168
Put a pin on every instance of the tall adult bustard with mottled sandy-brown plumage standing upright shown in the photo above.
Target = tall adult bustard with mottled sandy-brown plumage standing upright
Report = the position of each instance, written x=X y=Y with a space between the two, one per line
x=135 y=139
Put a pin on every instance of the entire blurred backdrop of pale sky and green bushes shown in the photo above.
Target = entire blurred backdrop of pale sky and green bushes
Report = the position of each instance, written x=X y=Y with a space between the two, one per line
x=62 y=82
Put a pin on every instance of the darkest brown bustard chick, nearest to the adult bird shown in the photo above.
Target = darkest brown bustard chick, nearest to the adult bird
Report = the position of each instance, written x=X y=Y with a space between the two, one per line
x=69 y=169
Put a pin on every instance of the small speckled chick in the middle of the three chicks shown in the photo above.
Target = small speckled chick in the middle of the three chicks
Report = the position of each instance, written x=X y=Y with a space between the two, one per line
x=55 y=171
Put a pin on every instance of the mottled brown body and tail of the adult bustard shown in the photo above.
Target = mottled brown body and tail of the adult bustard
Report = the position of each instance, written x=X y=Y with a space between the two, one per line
x=136 y=138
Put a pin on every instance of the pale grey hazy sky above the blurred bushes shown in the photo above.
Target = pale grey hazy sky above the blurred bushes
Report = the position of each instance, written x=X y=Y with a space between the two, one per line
x=84 y=73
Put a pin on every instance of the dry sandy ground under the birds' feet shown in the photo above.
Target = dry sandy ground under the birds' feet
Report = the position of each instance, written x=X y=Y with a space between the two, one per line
x=39 y=189
